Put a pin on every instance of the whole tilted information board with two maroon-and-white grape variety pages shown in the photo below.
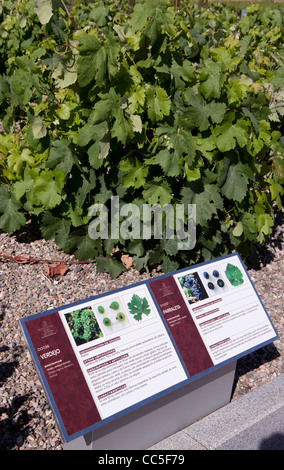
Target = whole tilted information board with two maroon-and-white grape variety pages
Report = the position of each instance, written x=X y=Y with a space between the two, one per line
x=104 y=356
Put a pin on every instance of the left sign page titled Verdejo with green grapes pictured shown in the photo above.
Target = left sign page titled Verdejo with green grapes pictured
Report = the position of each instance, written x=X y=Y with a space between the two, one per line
x=102 y=356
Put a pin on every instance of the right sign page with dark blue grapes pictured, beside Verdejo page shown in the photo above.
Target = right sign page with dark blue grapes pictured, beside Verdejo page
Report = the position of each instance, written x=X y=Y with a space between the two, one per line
x=213 y=312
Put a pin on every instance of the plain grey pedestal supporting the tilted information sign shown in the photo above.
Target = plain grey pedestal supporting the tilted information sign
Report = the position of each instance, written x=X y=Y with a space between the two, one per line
x=161 y=418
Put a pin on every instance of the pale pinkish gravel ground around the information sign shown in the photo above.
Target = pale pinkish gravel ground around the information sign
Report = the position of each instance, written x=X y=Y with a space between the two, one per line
x=26 y=421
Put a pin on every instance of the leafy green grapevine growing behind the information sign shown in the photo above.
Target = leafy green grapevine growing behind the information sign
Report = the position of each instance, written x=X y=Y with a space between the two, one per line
x=160 y=103
